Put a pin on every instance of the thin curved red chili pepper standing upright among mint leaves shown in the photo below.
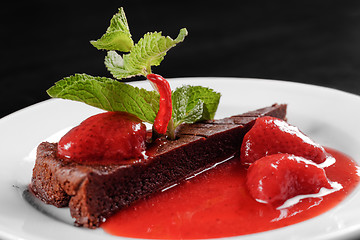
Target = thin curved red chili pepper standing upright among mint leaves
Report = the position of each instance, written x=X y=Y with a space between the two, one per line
x=165 y=105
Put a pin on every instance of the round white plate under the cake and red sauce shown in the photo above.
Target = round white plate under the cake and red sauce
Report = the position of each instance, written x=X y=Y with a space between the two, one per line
x=329 y=116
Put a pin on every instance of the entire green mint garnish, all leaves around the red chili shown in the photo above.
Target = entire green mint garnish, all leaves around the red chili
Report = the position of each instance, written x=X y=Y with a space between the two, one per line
x=190 y=104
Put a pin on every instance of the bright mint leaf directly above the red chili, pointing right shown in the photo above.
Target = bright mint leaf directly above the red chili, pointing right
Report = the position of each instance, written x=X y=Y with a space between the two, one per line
x=149 y=51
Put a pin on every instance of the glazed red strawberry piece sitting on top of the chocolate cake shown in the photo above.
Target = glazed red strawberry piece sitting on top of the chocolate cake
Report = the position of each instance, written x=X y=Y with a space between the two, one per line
x=109 y=135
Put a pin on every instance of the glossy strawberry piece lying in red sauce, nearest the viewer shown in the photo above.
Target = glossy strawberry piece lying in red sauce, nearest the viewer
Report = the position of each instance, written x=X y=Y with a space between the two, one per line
x=274 y=179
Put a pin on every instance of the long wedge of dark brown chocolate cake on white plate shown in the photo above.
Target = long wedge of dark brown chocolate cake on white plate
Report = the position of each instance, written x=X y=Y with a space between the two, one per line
x=94 y=192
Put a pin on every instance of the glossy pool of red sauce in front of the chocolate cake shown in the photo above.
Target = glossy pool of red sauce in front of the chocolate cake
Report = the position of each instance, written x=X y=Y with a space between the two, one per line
x=216 y=204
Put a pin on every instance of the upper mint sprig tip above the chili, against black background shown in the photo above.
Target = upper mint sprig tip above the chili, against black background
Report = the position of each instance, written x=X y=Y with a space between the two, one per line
x=148 y=52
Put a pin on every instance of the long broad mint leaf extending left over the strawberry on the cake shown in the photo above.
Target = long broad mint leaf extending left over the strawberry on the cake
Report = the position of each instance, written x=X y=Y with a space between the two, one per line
x=108 y=94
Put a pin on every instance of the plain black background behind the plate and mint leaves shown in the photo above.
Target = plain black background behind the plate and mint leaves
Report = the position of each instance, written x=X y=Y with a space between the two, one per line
x=316 y=42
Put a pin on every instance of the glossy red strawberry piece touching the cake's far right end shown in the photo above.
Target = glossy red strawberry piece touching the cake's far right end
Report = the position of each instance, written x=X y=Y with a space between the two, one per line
x=270 y=135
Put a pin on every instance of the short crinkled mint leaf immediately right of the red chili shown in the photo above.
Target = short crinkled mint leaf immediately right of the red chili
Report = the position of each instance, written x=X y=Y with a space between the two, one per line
x=194 y=103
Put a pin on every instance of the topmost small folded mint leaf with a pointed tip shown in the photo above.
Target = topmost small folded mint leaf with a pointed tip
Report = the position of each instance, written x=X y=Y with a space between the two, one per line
x=117 y=36
